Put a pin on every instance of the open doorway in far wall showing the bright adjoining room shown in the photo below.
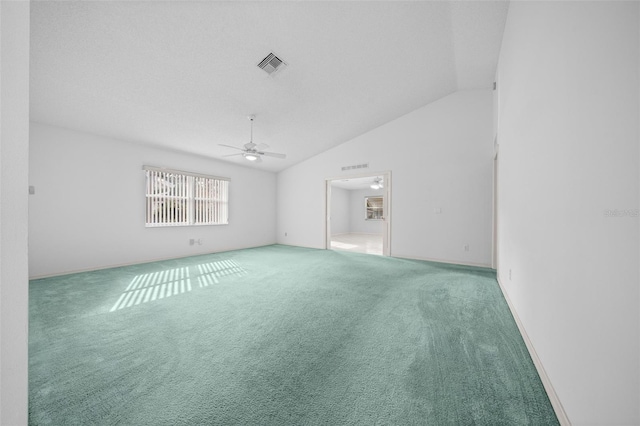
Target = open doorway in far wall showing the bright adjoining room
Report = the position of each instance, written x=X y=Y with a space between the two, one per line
x=358 y=214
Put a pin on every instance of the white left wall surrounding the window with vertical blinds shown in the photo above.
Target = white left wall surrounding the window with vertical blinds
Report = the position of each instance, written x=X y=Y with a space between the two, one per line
x=88 y=209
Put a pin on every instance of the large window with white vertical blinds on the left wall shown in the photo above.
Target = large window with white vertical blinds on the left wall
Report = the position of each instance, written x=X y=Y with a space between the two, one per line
x=175 y=198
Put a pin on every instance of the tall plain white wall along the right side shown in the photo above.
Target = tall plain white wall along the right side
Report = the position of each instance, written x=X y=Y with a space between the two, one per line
x=568 y=135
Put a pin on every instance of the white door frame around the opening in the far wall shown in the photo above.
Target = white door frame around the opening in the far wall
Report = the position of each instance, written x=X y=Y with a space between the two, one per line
x=386 y=234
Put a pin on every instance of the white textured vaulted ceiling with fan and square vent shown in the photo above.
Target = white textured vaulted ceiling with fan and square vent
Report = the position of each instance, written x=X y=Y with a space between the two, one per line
x=183 y=74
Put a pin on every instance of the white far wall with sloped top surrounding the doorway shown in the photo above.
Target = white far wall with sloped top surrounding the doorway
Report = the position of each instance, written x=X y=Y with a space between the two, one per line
x=440 y=156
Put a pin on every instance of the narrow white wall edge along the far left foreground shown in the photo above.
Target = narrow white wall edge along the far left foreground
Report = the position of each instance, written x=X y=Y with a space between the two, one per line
x=14 y=151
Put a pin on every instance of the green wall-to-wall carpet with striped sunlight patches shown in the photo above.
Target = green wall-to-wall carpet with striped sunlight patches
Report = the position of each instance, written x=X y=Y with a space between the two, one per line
x=279 y=336
